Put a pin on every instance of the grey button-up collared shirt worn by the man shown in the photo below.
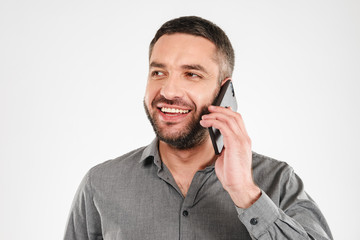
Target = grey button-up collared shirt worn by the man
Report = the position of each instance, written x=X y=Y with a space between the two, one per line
x=136 y=197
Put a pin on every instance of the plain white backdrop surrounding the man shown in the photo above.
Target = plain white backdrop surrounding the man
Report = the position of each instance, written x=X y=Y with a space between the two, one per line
x=73 y=75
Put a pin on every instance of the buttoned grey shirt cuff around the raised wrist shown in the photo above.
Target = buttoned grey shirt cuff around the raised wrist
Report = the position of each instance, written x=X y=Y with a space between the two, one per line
x=259 y=216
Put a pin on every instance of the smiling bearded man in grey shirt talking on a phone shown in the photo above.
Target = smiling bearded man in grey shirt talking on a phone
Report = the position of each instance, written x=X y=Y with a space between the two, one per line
x=176 y=187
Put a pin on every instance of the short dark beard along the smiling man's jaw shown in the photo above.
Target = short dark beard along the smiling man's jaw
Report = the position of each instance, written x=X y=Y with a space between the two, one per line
x=190 y=136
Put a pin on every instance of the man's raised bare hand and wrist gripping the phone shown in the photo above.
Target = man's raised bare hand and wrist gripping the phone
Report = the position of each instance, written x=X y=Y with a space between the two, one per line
x=234 y=165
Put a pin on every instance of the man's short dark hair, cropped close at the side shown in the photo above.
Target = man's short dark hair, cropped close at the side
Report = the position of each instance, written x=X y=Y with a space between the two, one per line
x=201 y=27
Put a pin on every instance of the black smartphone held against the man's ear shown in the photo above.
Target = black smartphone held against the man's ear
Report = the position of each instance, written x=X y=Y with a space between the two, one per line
x=225 y=98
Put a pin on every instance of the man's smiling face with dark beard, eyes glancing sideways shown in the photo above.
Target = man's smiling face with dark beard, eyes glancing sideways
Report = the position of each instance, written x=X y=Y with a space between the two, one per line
x=183 y=81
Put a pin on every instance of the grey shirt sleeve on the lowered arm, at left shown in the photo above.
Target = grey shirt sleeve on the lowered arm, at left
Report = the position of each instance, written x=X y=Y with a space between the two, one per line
x=84 y=219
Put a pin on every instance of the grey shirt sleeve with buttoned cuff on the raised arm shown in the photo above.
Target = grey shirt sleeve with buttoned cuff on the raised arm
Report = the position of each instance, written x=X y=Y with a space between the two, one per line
x=295 y=217
